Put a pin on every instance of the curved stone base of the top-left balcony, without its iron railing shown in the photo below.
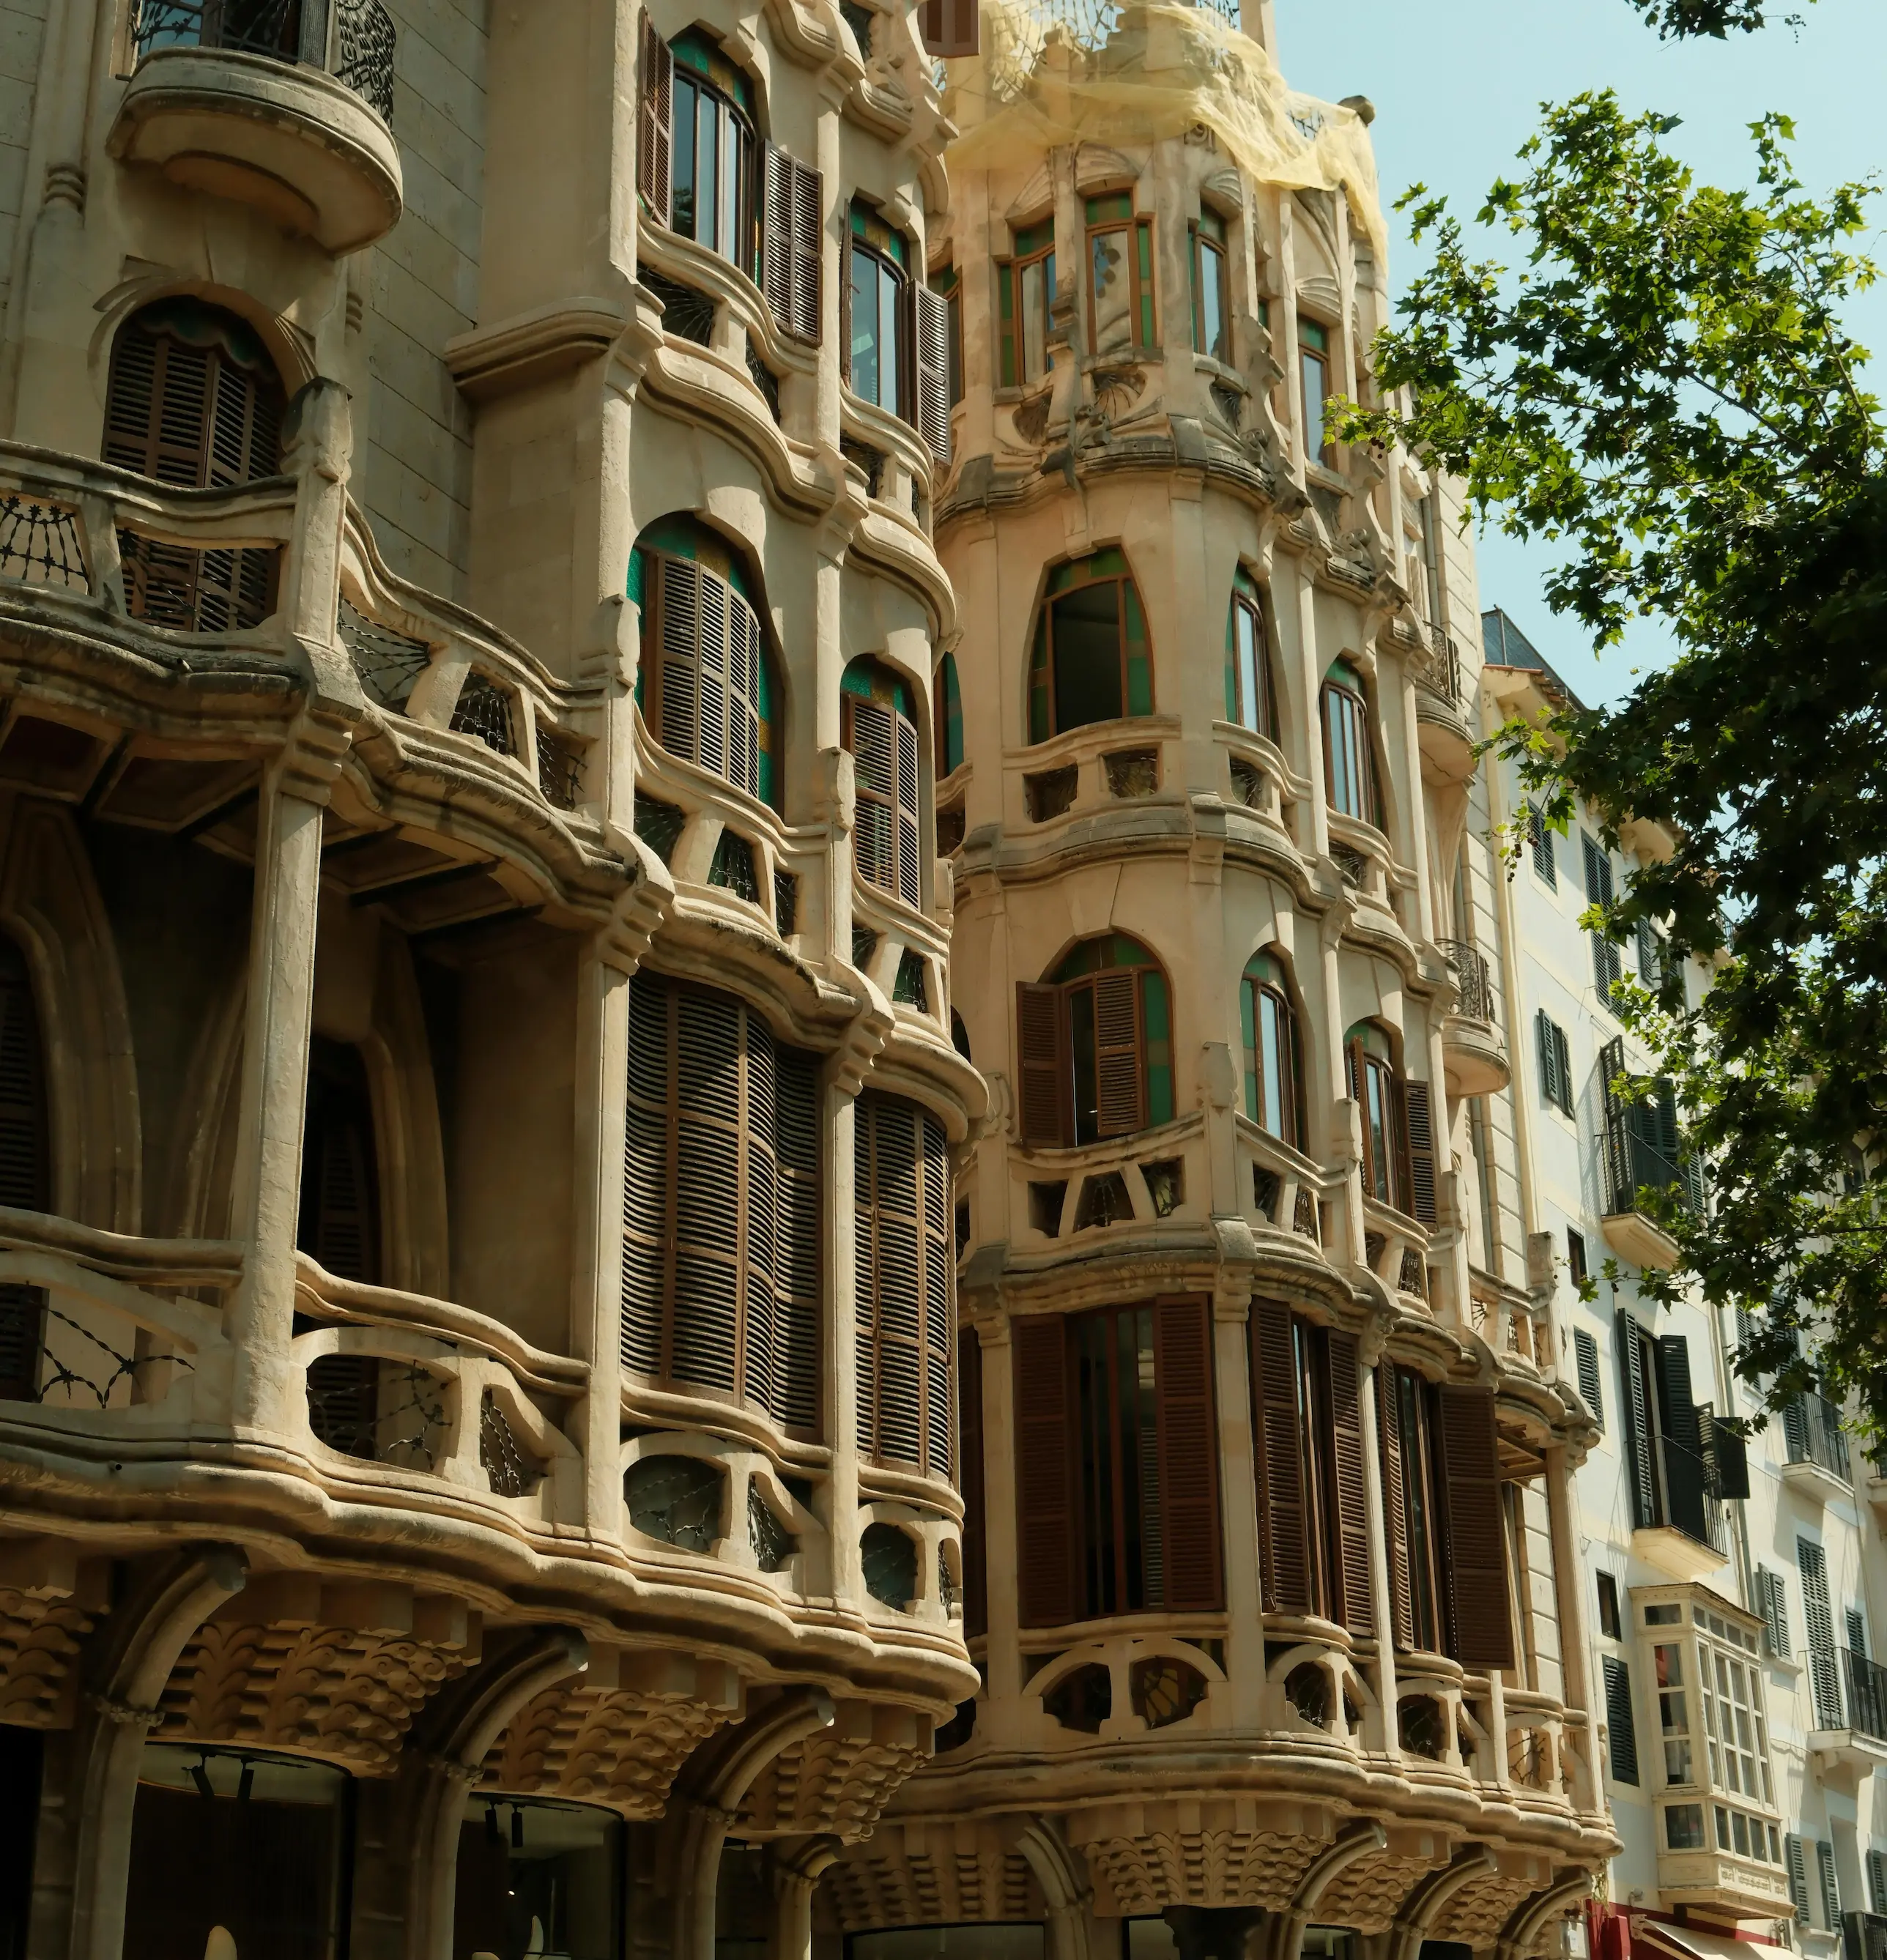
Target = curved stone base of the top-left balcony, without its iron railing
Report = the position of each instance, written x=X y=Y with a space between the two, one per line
x=287 y=140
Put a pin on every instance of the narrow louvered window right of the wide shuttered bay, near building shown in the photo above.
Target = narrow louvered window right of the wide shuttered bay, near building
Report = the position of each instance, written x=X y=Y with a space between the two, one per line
x=906 y=1285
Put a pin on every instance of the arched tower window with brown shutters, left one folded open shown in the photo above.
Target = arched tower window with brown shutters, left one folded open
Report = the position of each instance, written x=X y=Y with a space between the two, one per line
x=1096 y=1046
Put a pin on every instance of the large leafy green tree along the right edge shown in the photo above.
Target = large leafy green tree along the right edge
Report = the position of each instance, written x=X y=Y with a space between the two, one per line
x=1665 y=387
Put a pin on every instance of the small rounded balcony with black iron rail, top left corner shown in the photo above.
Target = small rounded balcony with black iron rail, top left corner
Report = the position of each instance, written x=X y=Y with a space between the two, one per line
x=279 y=105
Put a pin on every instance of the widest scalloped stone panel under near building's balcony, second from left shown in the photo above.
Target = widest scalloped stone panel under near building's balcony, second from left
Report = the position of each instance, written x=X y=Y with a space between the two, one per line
x=330 y=1671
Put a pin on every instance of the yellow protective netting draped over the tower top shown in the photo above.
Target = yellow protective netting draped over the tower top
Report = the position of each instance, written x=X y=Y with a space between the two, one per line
x=1053 y=73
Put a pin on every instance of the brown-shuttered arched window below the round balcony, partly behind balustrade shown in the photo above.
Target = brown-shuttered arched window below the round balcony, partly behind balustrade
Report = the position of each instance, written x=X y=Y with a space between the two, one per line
x=195 y=401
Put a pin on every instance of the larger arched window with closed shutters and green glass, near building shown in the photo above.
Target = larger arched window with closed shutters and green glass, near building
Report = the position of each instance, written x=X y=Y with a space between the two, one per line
x=706 y=677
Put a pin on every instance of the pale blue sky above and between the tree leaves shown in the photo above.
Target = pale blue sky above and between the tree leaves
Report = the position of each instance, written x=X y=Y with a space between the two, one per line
x=1457 y=89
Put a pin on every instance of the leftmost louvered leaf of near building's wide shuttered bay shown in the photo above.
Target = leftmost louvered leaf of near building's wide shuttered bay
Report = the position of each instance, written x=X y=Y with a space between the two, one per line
x=650 y=1151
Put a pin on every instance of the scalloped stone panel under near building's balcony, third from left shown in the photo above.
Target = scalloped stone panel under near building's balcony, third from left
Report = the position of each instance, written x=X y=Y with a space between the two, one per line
x=616 y=1734
